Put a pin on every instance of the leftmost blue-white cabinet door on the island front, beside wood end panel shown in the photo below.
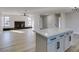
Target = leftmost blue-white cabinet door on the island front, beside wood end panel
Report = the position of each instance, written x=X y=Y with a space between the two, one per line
x=52 y=45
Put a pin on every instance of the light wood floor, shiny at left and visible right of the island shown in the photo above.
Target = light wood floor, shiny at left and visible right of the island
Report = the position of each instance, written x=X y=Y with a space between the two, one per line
x=24 y=41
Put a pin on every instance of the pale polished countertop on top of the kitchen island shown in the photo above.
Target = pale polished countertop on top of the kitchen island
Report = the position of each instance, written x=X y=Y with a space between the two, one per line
x=51 y=31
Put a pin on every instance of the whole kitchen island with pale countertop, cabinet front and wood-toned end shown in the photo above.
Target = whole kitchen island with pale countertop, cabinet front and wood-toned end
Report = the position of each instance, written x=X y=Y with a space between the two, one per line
x=53 y=40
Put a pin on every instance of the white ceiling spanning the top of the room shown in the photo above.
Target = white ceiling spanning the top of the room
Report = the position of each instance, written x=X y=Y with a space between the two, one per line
x=41 y=10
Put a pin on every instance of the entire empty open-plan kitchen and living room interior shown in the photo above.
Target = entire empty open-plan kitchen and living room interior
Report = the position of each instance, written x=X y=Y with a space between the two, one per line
x=39 y=29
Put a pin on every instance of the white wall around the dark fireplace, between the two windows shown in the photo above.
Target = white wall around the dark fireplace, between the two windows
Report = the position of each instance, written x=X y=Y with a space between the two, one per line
x=14 y=18
